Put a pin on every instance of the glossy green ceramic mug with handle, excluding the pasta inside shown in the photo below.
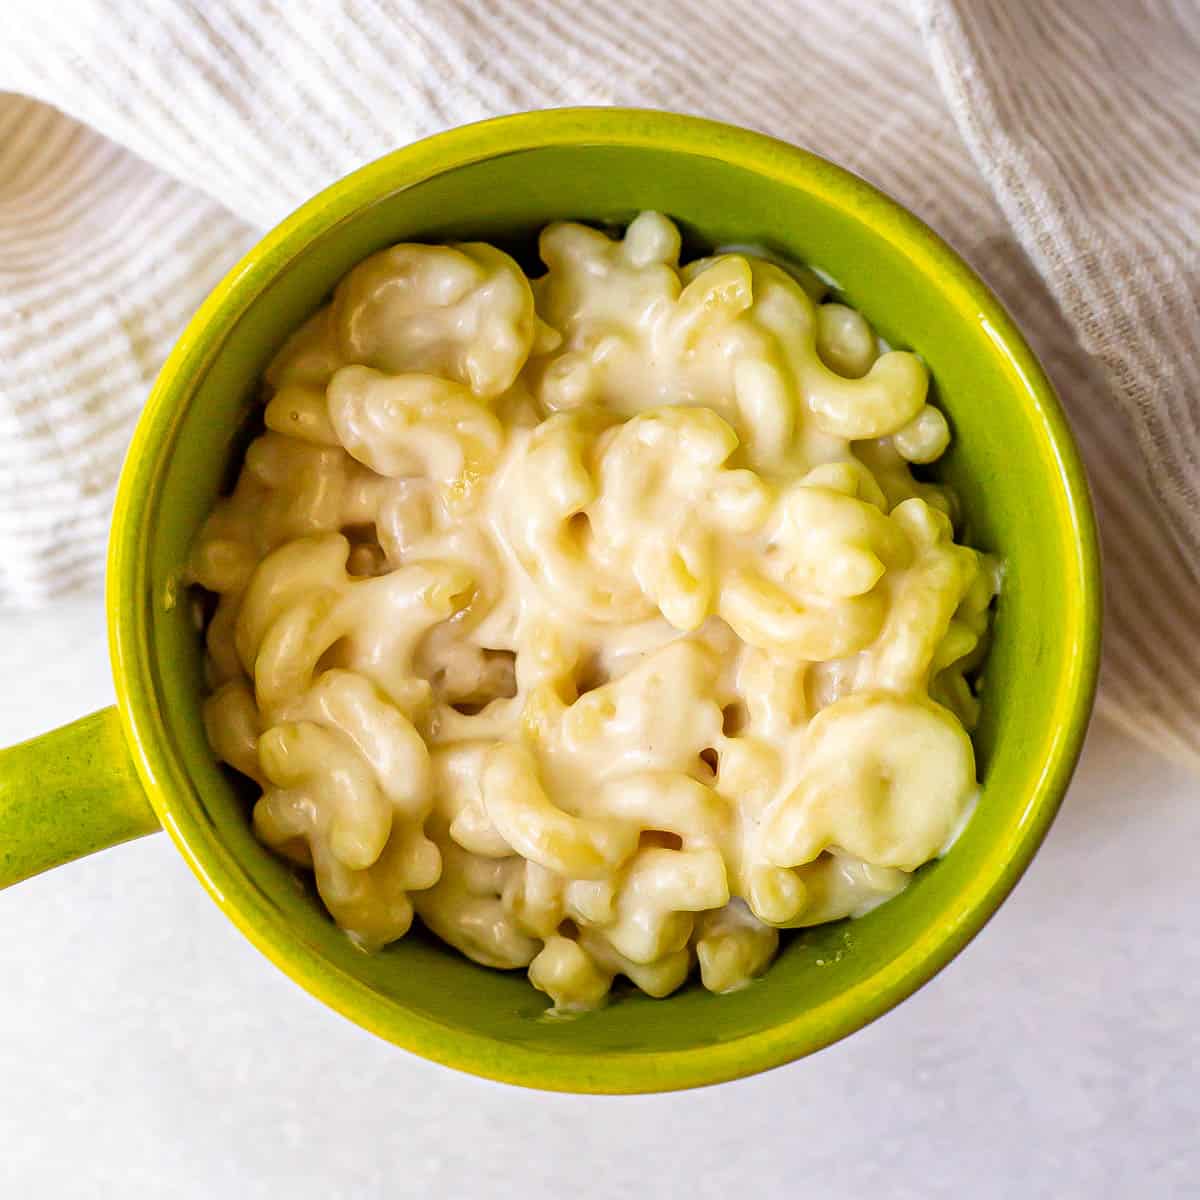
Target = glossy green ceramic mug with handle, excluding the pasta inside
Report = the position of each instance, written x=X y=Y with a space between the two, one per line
x=146 y=765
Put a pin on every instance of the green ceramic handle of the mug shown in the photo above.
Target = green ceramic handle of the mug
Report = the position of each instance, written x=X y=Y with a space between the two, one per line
x=69 y=794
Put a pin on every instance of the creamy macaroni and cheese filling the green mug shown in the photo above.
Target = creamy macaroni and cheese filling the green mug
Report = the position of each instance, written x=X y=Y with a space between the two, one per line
x=597 y=619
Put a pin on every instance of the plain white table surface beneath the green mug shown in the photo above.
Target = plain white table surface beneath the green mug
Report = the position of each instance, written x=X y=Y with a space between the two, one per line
x=148 y=1051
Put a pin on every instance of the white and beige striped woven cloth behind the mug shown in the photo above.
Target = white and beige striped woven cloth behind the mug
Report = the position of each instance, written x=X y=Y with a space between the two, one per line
x=145 y=146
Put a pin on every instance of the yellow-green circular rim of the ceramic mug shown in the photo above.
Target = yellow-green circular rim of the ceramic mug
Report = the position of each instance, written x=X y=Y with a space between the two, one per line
x=129 y=599
